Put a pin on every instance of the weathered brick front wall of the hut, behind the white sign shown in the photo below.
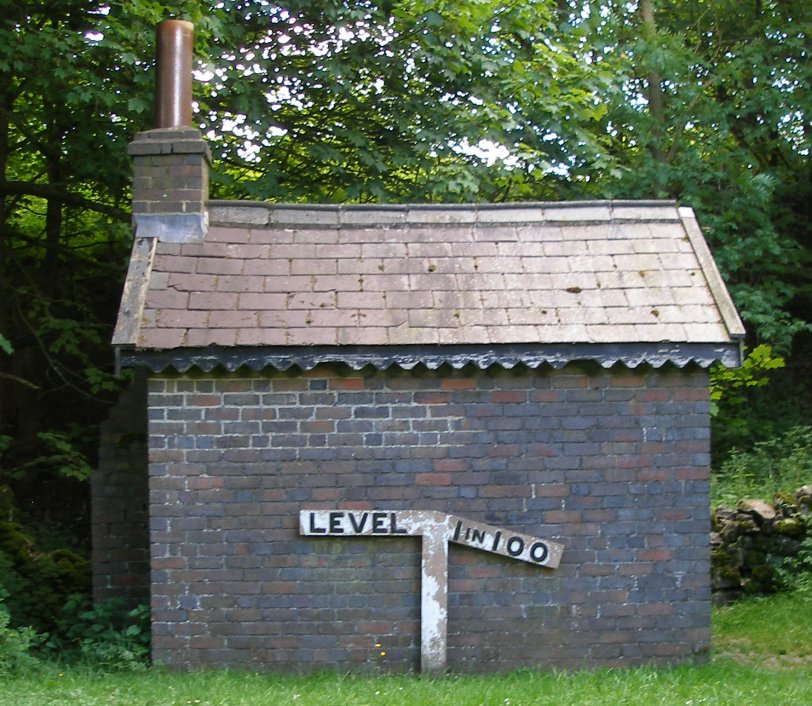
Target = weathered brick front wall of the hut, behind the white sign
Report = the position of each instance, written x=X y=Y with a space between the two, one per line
x=612 y=463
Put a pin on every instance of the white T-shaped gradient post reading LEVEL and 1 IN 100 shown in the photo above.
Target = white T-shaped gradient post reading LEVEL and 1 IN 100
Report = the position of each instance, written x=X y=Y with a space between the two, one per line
x=437 y=530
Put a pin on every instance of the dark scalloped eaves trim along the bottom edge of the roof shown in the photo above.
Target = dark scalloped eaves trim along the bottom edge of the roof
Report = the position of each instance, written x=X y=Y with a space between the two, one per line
x=406 y=358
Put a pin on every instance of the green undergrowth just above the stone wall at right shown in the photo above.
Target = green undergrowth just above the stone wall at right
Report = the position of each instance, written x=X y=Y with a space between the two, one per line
x=780 y=465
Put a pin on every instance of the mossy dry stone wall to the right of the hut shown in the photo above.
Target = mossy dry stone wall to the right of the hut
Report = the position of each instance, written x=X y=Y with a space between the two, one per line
x=750 y=543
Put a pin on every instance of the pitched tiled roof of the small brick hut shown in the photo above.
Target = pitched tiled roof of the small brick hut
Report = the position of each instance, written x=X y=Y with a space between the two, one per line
x=348 y=277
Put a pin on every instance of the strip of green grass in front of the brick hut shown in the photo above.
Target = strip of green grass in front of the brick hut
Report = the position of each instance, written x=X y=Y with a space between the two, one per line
x=762 y=655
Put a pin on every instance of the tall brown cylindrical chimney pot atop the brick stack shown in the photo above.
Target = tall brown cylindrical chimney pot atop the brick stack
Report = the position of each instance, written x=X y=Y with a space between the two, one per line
x=173 y=82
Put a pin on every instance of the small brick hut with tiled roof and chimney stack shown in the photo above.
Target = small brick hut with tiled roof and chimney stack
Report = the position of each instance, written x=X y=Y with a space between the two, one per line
x=539 y=367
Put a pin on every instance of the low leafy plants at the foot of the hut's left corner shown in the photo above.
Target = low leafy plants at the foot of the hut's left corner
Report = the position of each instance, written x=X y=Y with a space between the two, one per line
x=107 y=635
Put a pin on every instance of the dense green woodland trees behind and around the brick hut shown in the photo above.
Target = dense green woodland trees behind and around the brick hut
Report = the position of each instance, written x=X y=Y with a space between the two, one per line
x=707 y=104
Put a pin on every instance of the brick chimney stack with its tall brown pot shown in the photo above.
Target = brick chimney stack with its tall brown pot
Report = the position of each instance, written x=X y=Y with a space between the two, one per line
x=171 y=162
